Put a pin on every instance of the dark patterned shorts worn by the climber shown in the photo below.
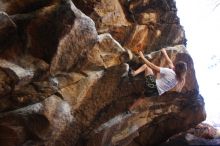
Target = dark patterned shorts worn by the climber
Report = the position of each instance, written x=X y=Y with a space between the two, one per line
x=150 y=86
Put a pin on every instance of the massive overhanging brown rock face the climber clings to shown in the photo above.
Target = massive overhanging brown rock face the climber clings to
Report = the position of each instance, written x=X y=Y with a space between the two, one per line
x=62 y=73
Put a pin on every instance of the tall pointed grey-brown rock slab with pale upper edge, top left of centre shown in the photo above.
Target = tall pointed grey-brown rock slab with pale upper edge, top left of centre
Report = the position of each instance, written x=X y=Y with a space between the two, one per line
x=81 y=38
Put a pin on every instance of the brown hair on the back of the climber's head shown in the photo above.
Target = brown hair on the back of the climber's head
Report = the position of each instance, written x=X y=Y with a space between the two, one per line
x=180 y=70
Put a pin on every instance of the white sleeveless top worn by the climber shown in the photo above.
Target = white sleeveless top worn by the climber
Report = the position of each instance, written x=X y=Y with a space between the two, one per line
x=166 y=81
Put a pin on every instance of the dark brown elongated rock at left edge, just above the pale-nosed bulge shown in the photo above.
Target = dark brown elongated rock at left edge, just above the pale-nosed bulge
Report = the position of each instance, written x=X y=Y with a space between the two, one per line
x=28 y=94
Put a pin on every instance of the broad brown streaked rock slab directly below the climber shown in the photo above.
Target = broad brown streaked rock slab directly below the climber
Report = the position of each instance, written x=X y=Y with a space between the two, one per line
x=165 y=108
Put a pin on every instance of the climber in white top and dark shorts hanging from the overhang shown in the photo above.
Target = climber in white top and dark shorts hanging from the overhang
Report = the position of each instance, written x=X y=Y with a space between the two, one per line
x=158 y=80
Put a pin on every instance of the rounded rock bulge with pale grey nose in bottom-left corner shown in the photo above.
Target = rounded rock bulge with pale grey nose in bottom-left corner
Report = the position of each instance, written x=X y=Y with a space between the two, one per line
x=46 y=120
